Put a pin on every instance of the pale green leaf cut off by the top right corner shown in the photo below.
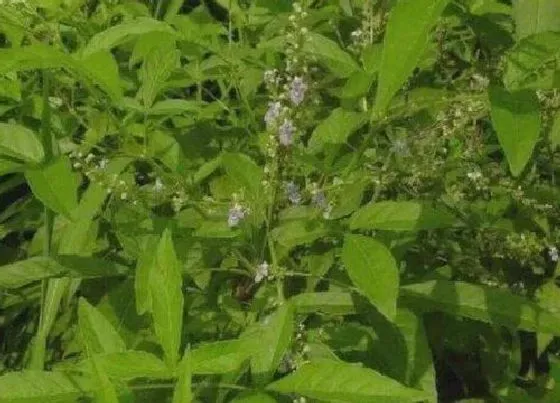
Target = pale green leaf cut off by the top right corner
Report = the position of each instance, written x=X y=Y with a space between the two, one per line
x=535 y=16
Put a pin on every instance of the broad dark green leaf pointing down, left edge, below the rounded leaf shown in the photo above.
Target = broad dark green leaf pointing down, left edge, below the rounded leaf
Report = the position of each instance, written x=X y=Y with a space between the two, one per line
x=55 y=185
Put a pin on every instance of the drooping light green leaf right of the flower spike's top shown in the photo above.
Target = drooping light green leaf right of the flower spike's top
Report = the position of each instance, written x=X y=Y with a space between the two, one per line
x=329 y=53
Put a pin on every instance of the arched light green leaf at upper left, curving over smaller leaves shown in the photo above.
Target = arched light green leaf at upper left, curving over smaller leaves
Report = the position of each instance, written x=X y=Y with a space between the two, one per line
x=119 y=34
